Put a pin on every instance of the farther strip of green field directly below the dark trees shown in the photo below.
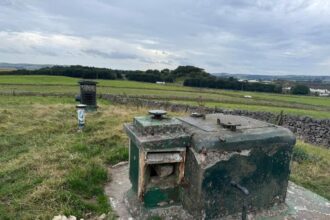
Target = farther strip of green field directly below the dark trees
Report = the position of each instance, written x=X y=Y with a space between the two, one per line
x=60 y=80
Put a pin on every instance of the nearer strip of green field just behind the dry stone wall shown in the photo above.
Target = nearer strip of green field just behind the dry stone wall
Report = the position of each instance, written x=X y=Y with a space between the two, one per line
x=168 y=95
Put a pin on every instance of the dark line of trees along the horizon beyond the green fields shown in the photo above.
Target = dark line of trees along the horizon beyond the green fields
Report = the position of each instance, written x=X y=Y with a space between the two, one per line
x=192 y=76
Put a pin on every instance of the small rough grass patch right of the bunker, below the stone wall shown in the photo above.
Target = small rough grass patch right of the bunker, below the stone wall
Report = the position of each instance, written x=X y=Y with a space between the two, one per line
x=311 y=168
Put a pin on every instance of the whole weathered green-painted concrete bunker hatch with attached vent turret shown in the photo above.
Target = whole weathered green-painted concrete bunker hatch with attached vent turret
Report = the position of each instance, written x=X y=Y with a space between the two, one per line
x=212 y=165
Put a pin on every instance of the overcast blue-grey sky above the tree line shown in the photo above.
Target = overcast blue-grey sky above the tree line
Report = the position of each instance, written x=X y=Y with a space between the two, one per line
x=234 y=36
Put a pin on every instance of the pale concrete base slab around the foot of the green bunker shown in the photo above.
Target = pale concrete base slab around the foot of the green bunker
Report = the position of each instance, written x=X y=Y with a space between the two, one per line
x=300 y=203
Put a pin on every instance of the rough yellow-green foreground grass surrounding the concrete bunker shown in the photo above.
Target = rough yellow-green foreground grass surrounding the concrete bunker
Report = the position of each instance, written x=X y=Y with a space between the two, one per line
x=48 y=168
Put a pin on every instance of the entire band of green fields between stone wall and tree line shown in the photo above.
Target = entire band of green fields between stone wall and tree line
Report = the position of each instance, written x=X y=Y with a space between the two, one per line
x=317 y=107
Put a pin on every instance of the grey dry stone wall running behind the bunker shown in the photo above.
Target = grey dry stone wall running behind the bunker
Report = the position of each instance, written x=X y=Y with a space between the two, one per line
x=306 y=128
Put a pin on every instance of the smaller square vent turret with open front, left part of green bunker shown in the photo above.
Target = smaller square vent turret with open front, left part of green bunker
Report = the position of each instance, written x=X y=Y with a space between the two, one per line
x=157 y=156
